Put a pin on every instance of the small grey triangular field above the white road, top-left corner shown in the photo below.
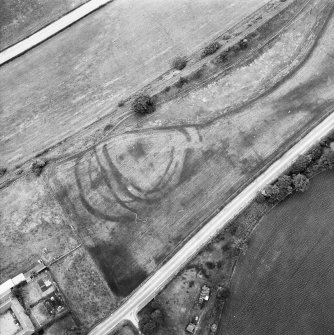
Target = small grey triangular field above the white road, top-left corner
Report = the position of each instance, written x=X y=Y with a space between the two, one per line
x=19 y=19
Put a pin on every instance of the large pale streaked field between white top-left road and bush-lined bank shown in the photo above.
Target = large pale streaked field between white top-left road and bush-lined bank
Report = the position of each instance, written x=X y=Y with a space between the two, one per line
x=104 y=57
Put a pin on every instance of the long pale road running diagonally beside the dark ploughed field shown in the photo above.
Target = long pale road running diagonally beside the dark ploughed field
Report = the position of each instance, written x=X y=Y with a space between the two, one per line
x=148 y=290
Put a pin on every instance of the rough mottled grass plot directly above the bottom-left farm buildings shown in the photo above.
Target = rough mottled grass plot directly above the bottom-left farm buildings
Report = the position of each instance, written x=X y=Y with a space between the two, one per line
x=31 y=220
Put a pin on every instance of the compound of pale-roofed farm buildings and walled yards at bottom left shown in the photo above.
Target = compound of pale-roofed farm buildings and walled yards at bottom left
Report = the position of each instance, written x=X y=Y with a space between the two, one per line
x=38 y=293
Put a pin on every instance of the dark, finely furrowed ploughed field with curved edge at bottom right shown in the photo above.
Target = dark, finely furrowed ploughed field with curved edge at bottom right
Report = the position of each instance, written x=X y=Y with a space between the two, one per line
x=285 y=282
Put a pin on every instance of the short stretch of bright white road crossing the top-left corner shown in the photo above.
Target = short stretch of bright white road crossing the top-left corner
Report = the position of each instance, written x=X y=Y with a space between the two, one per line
x=50 y=30
